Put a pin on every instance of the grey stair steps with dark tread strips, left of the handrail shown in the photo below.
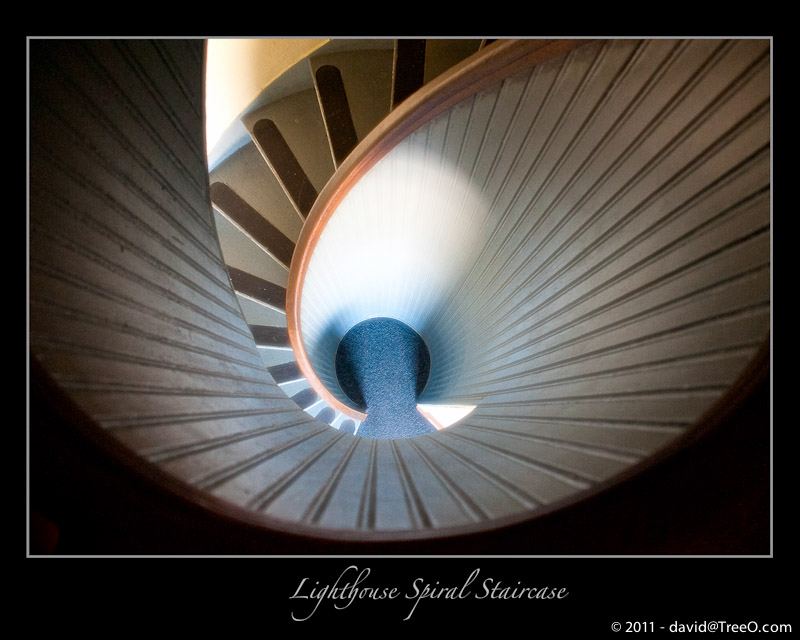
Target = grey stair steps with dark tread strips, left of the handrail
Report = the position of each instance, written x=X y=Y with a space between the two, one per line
x=334 y=71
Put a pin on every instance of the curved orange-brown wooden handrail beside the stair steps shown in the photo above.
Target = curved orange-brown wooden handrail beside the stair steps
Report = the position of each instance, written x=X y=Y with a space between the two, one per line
x=487 y=67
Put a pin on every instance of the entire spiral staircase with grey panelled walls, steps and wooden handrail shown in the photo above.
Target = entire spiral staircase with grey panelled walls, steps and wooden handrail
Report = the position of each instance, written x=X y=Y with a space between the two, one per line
x=579 y=230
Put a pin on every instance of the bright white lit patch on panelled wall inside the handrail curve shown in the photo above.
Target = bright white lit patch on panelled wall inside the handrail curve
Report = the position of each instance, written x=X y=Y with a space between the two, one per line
x=421 y=217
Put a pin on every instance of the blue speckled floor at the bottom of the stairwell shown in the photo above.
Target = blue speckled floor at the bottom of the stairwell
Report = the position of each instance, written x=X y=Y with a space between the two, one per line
x=382 y=365
